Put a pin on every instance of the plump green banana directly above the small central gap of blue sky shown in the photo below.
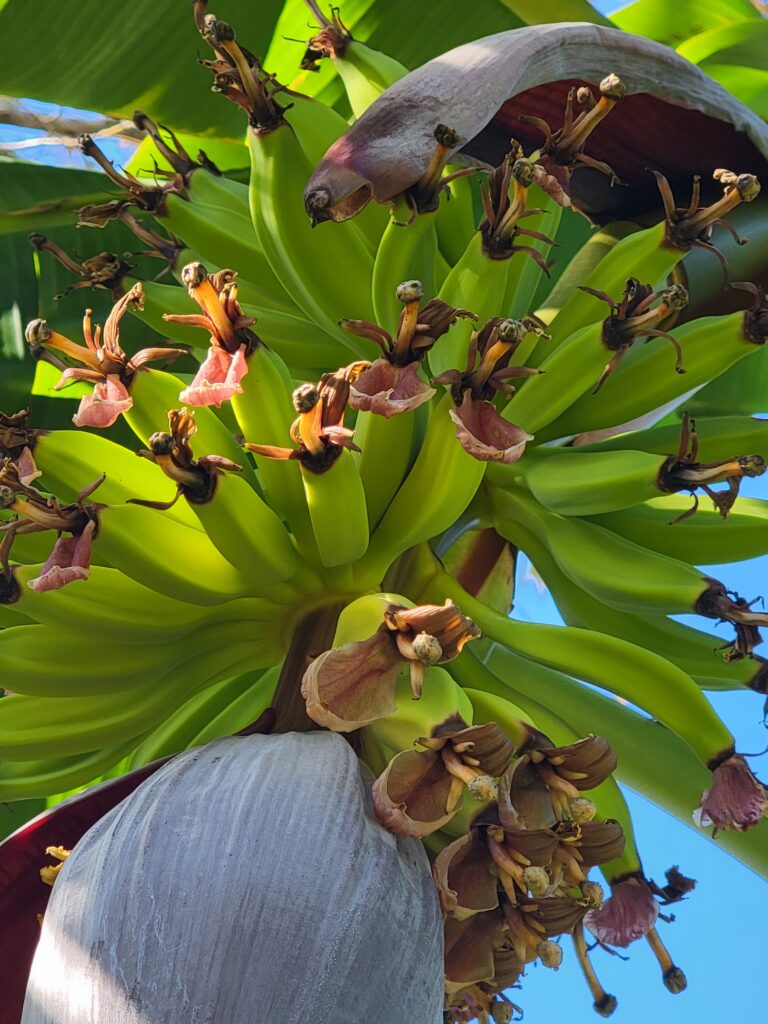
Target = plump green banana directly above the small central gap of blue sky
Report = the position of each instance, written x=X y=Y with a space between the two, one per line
x=608 y=567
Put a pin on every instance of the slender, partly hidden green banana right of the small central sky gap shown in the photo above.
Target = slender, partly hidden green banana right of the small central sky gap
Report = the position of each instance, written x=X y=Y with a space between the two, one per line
x=693 y=651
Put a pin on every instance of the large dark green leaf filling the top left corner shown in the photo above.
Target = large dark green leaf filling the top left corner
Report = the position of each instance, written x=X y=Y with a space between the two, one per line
x=100 y=57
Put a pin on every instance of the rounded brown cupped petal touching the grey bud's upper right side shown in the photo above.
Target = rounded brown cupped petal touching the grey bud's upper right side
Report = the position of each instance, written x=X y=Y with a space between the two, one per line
x=411 y=795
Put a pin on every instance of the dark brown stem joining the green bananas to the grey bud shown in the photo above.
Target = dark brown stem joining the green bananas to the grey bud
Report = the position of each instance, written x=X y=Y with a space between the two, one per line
x=314 y=635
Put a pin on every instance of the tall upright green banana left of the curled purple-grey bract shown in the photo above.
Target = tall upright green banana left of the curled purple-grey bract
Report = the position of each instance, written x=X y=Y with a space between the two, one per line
x=328 y=276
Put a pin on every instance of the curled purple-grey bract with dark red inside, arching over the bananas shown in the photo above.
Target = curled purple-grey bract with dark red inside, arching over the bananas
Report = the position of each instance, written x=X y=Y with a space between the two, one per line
x=483 y=89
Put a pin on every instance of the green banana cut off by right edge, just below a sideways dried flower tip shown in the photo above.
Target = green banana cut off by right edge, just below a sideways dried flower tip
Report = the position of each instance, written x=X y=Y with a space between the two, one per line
x=705 y=539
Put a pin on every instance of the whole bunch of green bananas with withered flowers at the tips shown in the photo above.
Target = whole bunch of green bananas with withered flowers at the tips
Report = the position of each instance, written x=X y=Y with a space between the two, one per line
x=371 y=388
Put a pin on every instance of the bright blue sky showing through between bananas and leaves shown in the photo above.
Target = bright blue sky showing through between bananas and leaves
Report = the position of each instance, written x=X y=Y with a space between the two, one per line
x=718 y=935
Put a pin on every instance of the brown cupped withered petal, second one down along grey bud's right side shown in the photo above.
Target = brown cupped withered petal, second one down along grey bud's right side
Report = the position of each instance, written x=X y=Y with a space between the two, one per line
x=464 y=876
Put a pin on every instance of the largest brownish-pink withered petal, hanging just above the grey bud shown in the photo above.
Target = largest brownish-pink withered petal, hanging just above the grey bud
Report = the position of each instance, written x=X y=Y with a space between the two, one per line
x=354 y=686
